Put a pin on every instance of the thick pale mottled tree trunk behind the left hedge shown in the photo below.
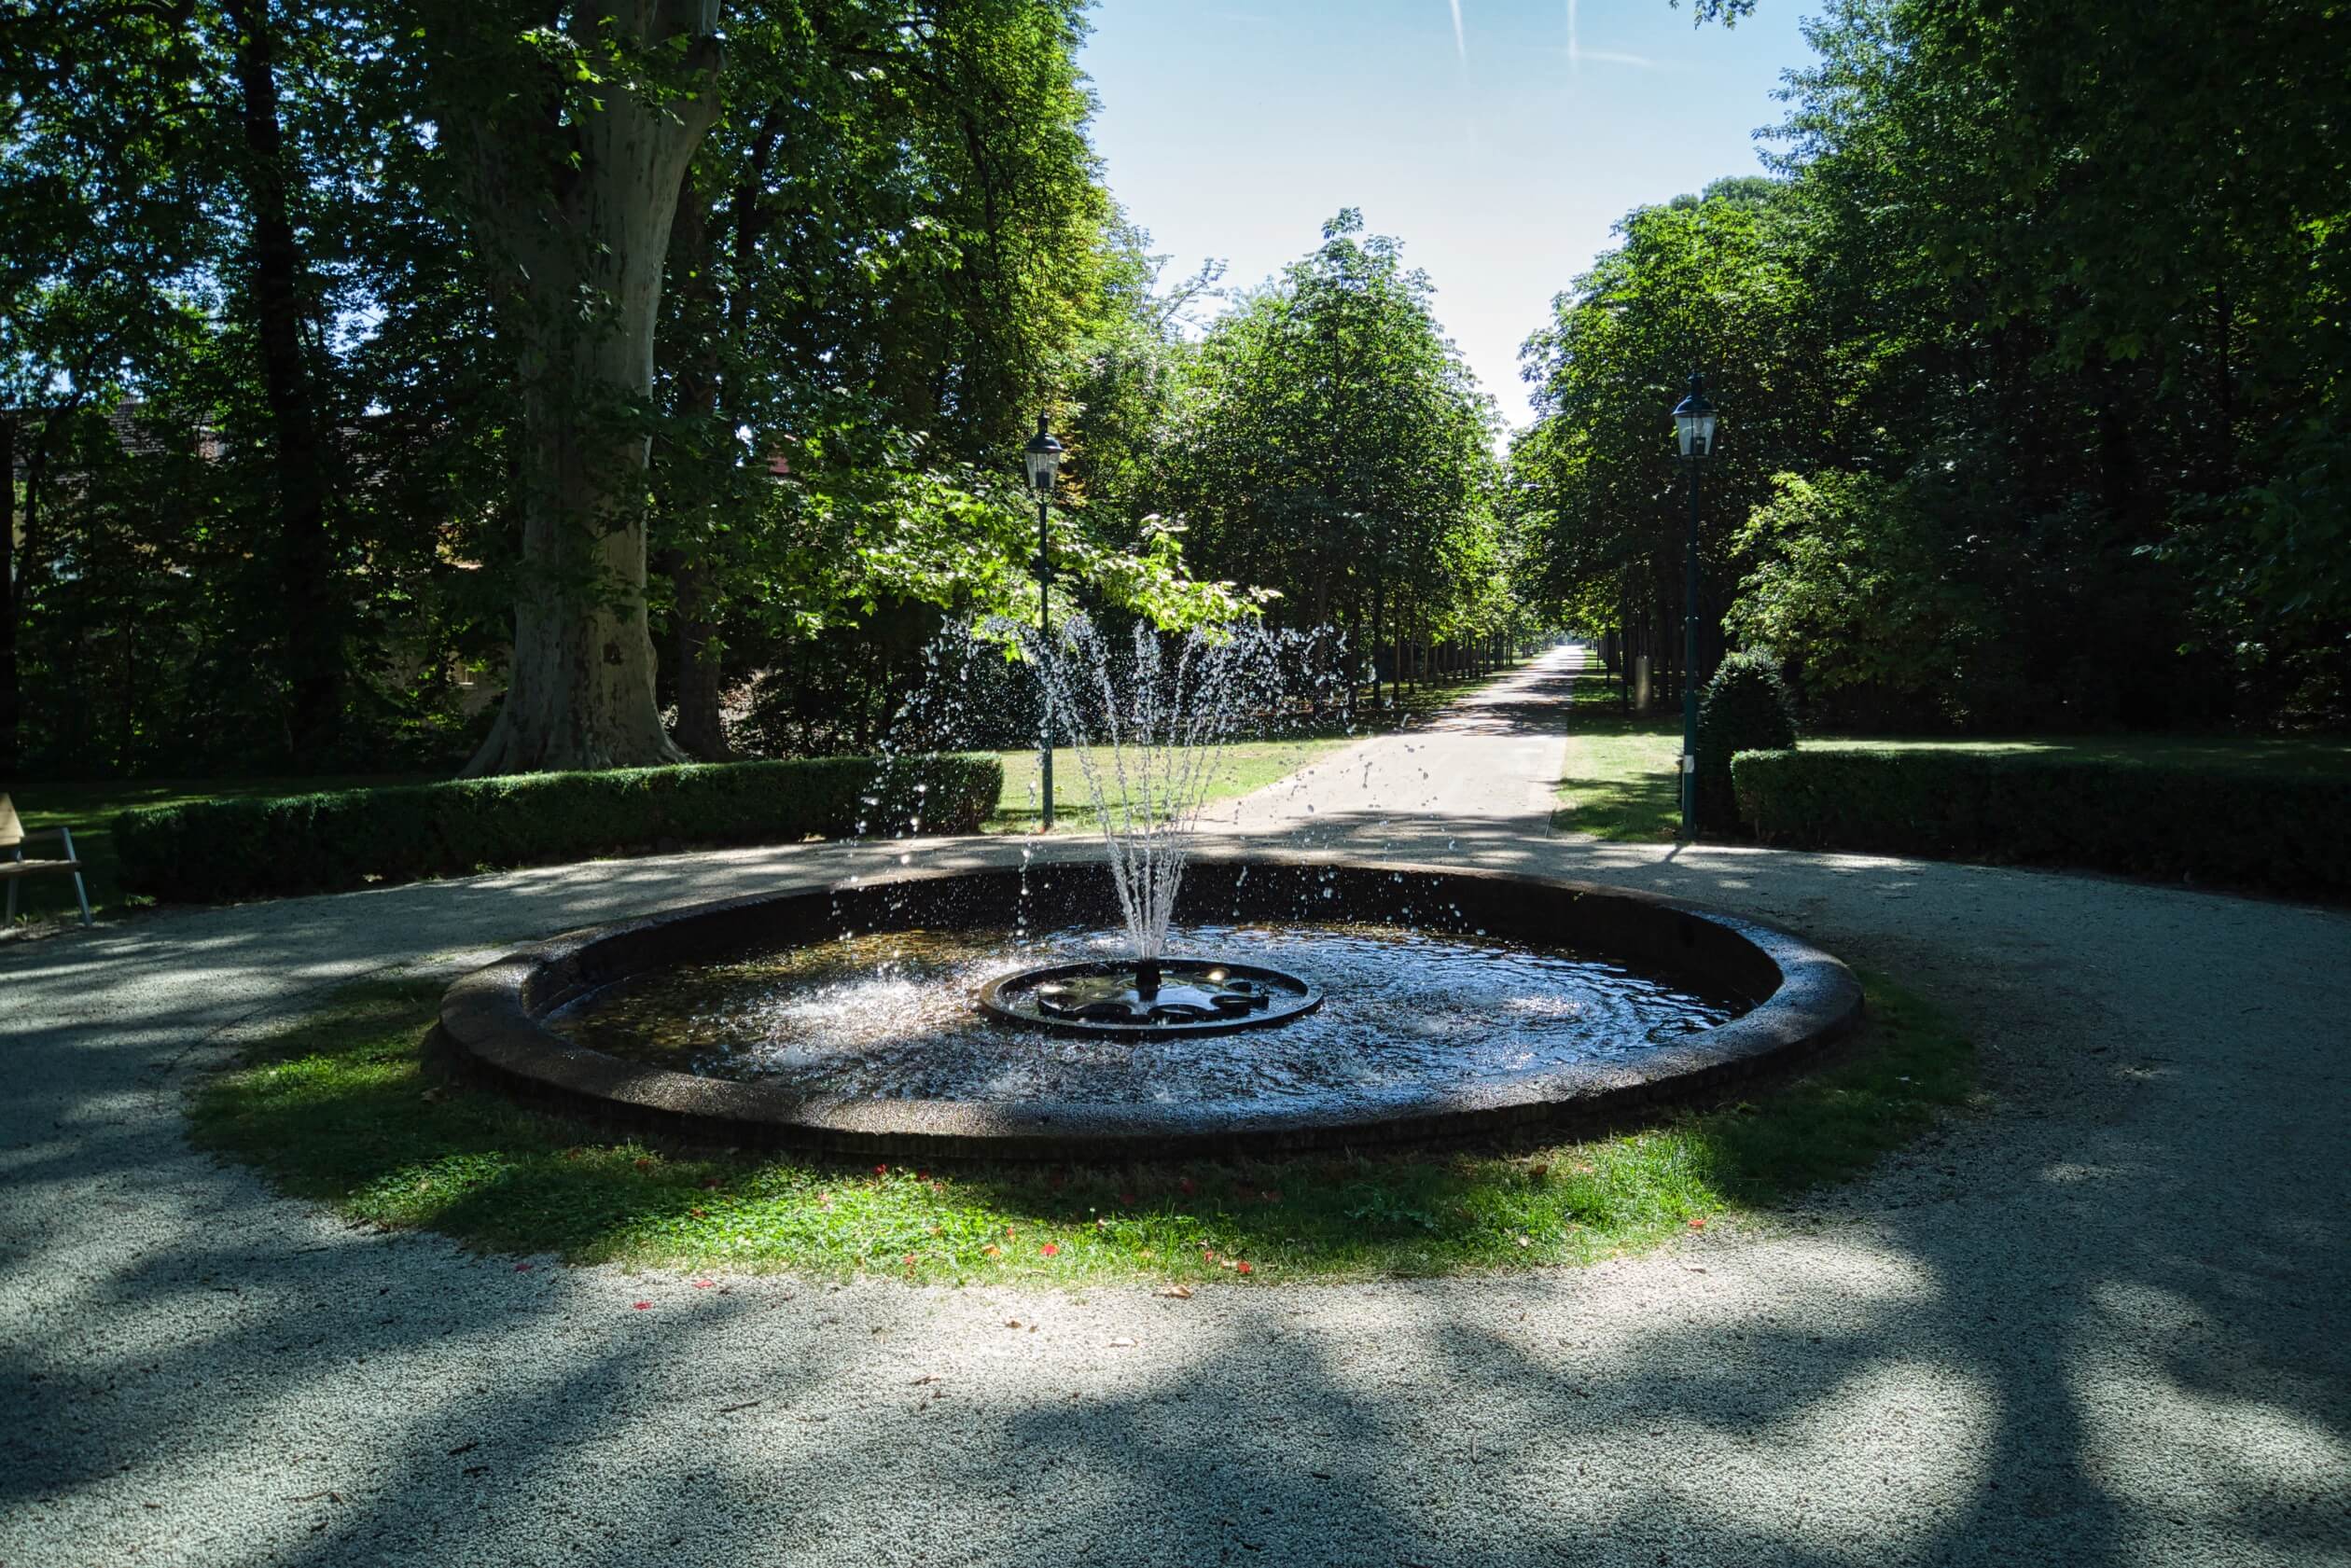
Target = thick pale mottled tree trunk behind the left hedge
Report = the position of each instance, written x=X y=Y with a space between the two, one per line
x=584 y=239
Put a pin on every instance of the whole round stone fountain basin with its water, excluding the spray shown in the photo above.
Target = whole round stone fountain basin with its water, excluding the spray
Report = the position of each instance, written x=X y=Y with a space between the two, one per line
x=993 y=1017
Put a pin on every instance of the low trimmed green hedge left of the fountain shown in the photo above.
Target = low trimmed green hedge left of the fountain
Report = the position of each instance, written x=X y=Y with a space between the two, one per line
x=321 y=843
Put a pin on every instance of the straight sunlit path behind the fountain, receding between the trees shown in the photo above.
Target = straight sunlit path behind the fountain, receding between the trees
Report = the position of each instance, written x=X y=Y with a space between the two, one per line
x=1492 y=758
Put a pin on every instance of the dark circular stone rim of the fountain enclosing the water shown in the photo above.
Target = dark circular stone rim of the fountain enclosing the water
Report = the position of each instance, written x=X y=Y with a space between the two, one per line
x=493 y=1019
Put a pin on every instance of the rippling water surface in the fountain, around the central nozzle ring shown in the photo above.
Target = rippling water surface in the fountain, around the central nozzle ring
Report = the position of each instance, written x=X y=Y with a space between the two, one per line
x=892 y=1017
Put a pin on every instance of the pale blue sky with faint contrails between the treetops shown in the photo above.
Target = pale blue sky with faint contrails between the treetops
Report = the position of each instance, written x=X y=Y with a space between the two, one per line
x=1499 y=140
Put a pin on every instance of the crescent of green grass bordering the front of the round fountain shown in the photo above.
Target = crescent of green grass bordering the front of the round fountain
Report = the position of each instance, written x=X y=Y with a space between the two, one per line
x=351 y=1111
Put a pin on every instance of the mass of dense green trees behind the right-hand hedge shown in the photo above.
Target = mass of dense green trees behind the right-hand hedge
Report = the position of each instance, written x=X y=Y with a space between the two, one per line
x=2044 y=316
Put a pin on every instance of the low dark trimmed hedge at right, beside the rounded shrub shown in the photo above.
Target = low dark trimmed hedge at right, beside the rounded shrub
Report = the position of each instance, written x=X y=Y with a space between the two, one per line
x=2148 y=819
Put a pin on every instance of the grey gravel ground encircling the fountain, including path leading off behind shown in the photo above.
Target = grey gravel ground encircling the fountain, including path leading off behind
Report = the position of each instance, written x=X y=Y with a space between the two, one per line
x=2098 y=1322
